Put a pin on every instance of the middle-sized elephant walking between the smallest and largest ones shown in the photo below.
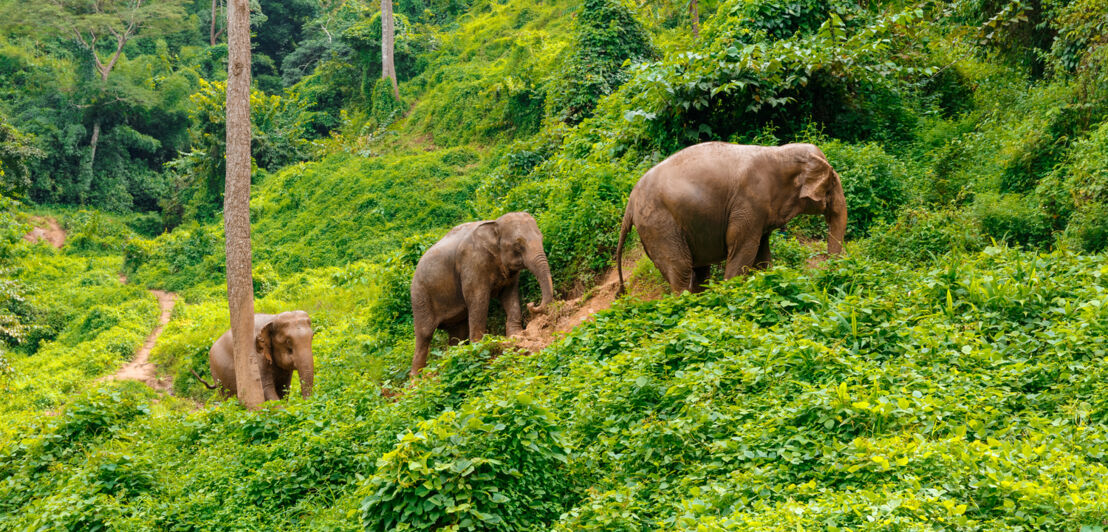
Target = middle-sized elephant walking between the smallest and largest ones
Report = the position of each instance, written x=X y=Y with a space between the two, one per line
x=476 y=262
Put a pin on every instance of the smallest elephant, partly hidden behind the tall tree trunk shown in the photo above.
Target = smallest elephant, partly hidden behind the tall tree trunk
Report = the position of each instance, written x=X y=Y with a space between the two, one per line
x=283 y=343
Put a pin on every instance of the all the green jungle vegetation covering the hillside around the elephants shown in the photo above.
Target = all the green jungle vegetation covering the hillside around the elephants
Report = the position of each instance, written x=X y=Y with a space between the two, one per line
x=947 y=373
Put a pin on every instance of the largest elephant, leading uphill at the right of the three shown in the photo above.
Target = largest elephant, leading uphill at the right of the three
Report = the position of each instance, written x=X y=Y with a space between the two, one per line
x=716 y=202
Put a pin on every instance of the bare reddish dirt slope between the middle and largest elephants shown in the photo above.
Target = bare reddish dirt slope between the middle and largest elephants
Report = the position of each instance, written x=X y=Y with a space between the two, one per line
x=563 y=316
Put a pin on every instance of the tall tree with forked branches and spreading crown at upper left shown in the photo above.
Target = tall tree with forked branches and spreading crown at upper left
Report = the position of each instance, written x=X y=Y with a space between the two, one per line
x=104 y=28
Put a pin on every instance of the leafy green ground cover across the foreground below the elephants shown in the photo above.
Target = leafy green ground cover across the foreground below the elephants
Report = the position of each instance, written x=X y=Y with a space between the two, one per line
x=966 y=395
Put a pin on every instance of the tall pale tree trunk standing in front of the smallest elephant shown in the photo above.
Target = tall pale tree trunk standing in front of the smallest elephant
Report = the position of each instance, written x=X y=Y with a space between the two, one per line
x=237 y=208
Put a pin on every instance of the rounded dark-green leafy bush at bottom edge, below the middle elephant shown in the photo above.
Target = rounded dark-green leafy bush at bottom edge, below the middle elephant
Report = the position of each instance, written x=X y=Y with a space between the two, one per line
x=495 y=465
